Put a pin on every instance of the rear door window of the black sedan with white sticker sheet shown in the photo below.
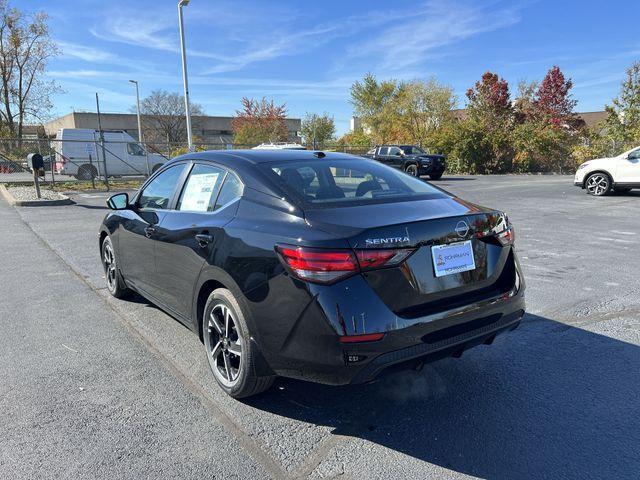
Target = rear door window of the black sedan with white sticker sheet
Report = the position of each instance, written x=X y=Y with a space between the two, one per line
x=201 y=189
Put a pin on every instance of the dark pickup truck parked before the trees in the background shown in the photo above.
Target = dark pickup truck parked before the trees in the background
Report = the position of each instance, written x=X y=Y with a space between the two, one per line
x=410 y=159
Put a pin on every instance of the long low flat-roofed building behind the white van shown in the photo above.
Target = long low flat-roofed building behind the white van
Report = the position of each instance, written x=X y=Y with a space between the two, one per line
x=207 y=129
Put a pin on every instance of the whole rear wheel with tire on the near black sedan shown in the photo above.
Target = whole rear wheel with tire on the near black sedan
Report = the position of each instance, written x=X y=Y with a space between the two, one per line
x=230 y=352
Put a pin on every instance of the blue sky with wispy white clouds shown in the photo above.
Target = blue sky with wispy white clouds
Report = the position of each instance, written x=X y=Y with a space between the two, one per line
x=307 y=54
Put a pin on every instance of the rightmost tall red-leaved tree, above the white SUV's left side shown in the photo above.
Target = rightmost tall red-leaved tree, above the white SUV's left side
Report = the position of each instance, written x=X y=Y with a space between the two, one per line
x=554 y=101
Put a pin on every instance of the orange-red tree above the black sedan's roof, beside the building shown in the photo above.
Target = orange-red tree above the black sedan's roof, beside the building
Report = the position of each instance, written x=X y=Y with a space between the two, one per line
x=259 y=121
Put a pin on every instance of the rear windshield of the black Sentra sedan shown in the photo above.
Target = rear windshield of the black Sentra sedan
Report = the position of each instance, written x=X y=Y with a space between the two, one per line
x=323 y=183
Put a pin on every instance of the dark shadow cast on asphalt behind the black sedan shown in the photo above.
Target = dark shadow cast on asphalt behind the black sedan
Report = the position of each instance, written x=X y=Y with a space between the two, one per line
x=546 y=401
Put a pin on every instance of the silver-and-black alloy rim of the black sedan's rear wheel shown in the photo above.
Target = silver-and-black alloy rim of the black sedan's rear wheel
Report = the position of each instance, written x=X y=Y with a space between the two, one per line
x=224 y=345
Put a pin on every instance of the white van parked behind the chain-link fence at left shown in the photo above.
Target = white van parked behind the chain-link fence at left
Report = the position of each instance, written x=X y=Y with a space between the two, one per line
x=79 y=153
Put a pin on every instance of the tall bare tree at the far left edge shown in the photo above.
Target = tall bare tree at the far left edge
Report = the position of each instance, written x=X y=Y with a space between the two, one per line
x=25 y=49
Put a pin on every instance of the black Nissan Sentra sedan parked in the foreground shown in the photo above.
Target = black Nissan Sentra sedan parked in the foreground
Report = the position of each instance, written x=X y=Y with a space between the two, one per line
x=322 y=267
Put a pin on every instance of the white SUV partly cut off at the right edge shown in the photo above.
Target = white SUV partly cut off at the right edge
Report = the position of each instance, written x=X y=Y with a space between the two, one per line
x=601 y=175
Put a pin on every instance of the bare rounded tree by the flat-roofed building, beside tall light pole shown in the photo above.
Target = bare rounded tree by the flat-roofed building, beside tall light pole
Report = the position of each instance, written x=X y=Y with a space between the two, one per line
x=164 y=116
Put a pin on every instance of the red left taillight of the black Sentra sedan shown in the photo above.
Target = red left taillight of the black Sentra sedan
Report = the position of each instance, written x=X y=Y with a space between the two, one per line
x=321 y=265
